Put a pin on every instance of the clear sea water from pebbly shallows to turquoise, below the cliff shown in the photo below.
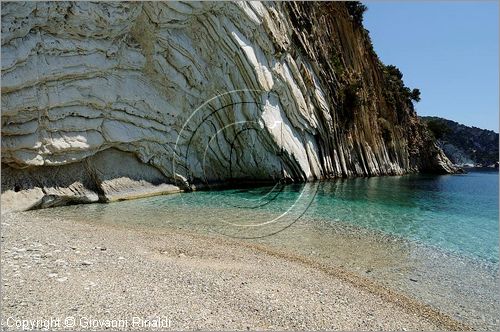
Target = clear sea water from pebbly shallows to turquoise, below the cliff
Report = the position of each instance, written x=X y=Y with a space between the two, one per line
x=432 y=237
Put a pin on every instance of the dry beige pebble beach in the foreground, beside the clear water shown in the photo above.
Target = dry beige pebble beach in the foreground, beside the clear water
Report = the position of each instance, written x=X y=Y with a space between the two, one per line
x=138 y=278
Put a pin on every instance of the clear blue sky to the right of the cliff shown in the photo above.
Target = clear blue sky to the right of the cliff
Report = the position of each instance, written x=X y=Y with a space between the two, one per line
x=447 y=49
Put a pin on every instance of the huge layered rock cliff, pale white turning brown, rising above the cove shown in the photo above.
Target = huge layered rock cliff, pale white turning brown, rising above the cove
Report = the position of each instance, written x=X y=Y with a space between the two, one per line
x=110 y=100
